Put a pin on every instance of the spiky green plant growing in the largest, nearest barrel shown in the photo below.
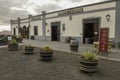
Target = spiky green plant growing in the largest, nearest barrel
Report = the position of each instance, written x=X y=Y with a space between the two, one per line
x=90 y=56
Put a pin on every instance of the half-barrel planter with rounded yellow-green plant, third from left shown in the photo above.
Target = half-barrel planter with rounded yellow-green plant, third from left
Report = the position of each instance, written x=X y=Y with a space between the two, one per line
x=46 y=52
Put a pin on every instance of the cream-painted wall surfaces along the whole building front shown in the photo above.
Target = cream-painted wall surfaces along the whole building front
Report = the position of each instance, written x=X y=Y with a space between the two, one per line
x=74 y=27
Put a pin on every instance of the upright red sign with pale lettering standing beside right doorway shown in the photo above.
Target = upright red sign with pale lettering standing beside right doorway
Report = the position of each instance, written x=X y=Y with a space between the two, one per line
x=104 y=33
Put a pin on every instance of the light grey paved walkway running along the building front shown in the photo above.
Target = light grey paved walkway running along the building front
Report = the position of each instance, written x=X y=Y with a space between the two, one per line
x=113 y=54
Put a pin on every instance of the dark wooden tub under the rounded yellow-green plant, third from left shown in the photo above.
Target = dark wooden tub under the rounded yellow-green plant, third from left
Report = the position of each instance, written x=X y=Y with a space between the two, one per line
x=46 y=54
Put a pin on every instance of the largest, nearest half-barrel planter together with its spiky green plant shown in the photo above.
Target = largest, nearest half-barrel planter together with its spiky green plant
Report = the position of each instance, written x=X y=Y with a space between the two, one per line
x=88 y=62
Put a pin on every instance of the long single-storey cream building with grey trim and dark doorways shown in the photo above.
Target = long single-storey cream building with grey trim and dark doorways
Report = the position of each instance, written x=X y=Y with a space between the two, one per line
x=81 y=23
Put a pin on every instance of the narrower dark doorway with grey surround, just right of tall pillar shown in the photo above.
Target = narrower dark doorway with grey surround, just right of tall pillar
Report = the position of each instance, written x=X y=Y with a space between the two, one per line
x=55 y=31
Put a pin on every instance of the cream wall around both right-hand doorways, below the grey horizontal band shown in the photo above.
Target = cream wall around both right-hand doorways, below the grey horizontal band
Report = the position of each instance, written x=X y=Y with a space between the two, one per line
x=74 y=27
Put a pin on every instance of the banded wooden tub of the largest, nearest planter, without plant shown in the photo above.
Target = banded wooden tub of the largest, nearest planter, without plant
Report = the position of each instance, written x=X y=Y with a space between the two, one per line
x=88 y=65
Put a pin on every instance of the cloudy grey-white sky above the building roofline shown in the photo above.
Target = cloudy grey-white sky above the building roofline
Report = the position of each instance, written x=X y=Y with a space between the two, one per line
x=12 y=9
